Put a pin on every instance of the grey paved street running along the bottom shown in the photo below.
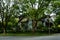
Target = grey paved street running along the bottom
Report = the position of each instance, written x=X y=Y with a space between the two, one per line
x=57 y=37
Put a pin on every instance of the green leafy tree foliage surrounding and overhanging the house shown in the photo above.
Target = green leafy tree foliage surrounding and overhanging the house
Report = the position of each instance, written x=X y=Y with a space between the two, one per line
x=11 y=10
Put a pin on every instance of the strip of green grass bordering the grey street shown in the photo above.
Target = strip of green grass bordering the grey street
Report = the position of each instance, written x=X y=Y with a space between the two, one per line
x=24 y=34
